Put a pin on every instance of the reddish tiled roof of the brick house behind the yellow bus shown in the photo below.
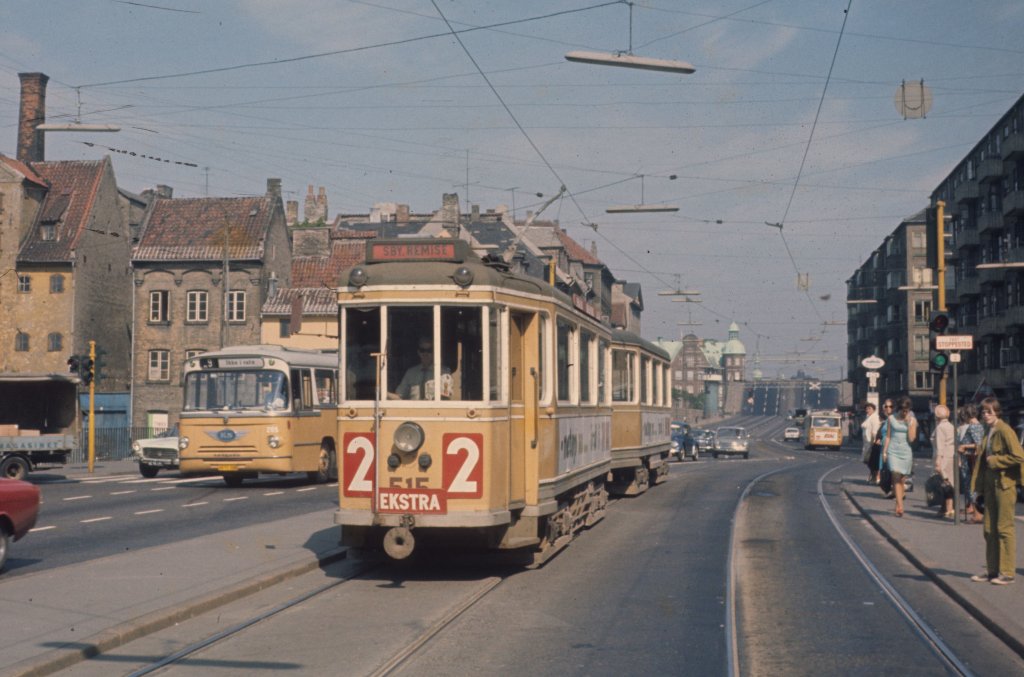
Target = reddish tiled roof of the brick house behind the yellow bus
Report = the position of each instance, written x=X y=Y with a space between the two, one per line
x=194 y=230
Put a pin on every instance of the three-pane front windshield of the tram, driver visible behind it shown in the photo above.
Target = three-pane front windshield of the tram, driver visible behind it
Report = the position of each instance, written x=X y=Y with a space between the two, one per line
x=449 y=353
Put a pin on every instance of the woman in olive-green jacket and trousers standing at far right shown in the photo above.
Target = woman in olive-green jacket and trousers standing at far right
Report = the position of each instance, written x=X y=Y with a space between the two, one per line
x=998 y=473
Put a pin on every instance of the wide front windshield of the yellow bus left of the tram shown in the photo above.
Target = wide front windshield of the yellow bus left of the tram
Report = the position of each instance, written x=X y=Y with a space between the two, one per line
x=236 y=391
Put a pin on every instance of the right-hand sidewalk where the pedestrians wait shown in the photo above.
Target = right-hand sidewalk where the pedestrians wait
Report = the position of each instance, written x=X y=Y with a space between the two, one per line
x=947 y=554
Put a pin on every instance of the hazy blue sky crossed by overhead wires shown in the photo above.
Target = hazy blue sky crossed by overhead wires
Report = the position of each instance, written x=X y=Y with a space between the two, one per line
x=790 y=119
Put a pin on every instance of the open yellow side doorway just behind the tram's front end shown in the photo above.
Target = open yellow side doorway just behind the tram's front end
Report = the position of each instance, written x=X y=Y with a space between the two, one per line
x=524 y=375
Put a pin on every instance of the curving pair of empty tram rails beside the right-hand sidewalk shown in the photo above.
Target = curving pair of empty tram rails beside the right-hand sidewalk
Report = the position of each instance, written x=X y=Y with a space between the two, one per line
x=921 y=629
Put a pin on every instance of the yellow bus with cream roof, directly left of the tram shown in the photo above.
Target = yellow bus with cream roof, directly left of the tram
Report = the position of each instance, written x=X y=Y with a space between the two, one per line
x=261 y=409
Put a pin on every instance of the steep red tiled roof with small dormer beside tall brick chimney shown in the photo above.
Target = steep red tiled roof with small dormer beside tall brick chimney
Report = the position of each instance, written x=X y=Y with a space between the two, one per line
x=68 y=206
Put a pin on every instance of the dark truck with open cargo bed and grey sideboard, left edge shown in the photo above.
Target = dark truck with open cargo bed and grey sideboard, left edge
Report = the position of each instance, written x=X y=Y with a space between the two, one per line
x=40 y=426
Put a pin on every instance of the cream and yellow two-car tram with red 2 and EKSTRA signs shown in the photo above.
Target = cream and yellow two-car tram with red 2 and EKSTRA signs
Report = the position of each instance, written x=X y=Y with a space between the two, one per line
x=476 y=406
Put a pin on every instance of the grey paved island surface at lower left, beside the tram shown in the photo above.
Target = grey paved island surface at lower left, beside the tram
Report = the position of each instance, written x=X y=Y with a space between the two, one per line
x=55 y=619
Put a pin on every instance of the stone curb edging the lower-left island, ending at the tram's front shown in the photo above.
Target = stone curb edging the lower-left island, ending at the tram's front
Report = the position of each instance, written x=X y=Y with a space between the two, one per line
x=106 y=641
